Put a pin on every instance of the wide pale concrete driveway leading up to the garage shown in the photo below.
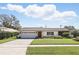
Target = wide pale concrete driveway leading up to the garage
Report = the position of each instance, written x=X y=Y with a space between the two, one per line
x=16 y=47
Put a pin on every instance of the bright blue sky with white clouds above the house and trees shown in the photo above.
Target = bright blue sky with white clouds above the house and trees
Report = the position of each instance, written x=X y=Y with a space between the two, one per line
x=43 y=14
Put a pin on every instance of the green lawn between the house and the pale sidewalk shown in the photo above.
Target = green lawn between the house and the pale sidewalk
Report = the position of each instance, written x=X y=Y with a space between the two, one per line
x=48 y=41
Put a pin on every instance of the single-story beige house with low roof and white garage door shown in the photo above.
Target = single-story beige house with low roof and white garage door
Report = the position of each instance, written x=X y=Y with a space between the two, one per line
x=38 y=32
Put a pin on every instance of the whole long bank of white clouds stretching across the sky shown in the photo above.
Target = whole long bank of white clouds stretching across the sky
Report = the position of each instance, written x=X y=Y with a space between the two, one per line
x=45 y=12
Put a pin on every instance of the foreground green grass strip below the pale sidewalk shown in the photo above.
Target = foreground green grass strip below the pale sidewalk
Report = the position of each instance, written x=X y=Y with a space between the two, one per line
x=53 y=50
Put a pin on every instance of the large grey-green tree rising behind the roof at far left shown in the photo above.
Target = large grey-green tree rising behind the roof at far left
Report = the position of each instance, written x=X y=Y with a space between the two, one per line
x=9 y=21
